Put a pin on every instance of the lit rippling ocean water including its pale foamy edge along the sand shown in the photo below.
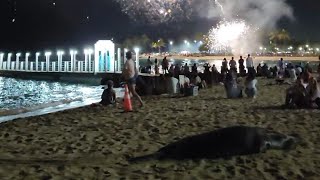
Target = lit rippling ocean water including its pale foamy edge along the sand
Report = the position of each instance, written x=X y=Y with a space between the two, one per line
x=23 y=98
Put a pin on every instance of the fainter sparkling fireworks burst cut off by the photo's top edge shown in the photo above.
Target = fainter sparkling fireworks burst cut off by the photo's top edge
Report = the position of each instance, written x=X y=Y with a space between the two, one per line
x=156 y=11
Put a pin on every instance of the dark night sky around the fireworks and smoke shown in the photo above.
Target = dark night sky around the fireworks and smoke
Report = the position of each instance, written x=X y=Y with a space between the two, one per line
x=40 y=24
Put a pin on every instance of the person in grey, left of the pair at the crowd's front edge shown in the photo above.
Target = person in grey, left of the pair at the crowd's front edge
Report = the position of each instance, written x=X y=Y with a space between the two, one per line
x=233 y=90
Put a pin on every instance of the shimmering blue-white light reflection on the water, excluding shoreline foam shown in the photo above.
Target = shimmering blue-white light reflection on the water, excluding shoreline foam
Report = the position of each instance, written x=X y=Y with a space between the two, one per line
x=16 y=93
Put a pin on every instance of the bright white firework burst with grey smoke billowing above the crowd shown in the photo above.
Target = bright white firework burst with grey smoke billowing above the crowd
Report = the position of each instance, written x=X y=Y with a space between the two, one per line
x=242 y=22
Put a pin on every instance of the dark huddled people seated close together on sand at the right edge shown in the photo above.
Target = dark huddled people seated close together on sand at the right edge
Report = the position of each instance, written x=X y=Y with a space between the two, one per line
x=304 y=94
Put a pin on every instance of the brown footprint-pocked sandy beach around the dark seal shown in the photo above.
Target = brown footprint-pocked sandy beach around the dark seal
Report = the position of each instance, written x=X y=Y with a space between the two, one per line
x=94 y=142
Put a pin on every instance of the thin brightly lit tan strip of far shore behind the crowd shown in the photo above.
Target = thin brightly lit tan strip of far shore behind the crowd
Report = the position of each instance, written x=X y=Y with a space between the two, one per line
x=255 y=58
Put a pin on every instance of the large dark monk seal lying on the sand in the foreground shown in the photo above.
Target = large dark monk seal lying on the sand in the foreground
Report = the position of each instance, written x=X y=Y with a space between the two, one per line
x=225 y=142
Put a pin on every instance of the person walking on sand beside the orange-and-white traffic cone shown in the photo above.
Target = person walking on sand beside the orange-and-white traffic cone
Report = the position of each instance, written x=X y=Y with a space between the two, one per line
x=130 y=74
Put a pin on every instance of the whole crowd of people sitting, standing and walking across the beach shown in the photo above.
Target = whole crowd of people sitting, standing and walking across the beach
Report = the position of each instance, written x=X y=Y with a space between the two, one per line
x=304 y=92
